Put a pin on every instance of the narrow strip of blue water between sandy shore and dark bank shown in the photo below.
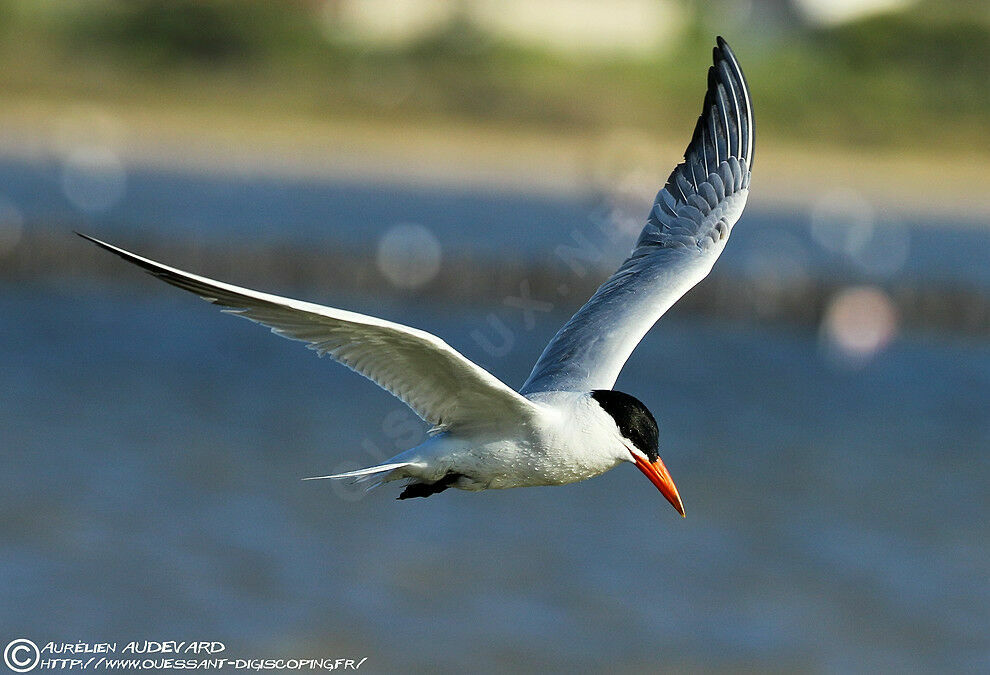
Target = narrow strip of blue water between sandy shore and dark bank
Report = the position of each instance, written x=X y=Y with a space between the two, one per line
x=253 y=209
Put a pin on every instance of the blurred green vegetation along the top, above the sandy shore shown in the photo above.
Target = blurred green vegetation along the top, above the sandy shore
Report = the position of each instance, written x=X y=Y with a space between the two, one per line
x=904 y=80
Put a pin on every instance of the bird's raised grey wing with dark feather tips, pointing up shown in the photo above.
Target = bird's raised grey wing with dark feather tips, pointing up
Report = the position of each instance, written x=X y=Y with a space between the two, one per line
x=684 y=235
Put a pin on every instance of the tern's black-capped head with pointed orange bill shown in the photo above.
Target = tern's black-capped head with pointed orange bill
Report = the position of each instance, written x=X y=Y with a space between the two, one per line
x=641 y=437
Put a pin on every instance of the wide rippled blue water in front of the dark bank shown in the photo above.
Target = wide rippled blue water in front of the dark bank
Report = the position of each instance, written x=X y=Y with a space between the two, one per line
x=152 y=450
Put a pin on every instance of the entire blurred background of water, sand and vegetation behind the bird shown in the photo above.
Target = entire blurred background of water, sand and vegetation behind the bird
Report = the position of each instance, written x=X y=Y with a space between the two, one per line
x=476 y=169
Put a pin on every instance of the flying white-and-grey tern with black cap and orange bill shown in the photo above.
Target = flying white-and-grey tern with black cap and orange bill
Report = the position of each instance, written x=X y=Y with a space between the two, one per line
x=566 y=423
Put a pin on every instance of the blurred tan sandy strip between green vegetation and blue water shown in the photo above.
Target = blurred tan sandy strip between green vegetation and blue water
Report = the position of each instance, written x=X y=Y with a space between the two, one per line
x=484 y=158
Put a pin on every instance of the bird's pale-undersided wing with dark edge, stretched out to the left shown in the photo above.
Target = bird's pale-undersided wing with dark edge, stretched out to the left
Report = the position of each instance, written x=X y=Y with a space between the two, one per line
x=437 y=382
